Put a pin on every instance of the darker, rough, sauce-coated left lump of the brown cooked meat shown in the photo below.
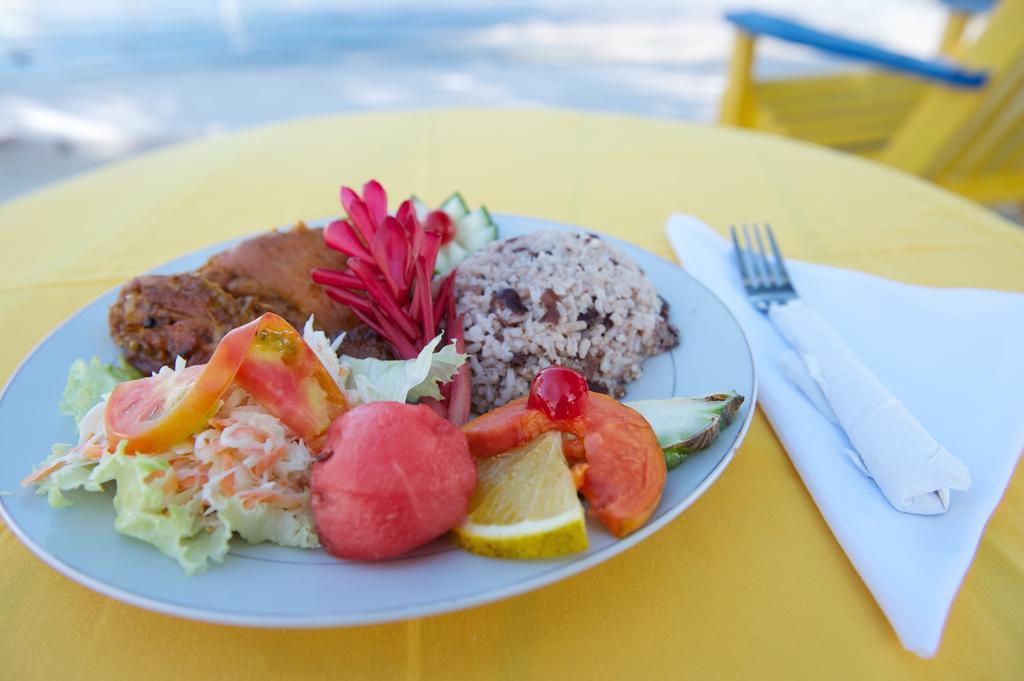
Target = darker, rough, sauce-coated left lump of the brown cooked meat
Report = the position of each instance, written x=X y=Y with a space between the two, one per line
x=157 y=319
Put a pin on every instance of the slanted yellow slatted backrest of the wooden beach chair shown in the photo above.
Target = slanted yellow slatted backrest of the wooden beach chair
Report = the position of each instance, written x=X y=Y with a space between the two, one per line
x=973 y=141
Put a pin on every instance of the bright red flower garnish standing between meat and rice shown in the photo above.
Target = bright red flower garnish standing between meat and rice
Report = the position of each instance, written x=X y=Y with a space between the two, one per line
x=389 y=281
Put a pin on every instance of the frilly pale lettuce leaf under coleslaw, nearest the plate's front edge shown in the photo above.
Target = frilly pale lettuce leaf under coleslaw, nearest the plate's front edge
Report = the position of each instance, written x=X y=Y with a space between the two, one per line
x=177 y=527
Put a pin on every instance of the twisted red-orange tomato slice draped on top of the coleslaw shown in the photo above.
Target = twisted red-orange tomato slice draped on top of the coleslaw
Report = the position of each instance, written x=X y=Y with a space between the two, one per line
x=268 y=358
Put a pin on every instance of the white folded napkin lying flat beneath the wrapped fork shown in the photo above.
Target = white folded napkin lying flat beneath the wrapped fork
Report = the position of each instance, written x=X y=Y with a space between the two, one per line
x=953 y=357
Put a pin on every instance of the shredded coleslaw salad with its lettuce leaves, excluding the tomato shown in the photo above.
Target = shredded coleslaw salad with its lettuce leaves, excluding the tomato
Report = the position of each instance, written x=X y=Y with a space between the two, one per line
x=246 y=474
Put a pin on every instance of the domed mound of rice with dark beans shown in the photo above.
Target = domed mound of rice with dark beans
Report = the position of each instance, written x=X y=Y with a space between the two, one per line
x=558 y=299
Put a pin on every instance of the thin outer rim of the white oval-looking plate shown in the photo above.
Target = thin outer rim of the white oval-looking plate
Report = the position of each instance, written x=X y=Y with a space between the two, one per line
x=403 y=613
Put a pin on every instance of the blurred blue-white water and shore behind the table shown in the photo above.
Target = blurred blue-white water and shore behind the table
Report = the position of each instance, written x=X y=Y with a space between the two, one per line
x=83 y=83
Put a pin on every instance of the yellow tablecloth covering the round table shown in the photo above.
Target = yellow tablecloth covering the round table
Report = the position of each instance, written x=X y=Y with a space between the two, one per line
x=748 y=583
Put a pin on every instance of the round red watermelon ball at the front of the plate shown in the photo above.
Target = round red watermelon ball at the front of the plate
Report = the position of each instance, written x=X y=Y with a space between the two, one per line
x=399 y=476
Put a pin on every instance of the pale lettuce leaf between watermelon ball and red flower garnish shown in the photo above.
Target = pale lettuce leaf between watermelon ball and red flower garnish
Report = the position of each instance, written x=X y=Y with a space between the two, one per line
x=402 y=380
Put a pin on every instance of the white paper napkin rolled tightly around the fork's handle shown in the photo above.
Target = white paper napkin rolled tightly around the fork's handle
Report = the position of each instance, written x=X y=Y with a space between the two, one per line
x=913 y=471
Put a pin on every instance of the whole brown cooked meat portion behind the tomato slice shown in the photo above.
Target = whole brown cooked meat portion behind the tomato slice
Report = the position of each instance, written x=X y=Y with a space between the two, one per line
x=158 y=318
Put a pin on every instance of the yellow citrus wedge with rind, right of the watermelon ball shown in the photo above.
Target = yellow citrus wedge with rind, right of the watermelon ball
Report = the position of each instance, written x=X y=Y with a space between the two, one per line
x=525 y=505
